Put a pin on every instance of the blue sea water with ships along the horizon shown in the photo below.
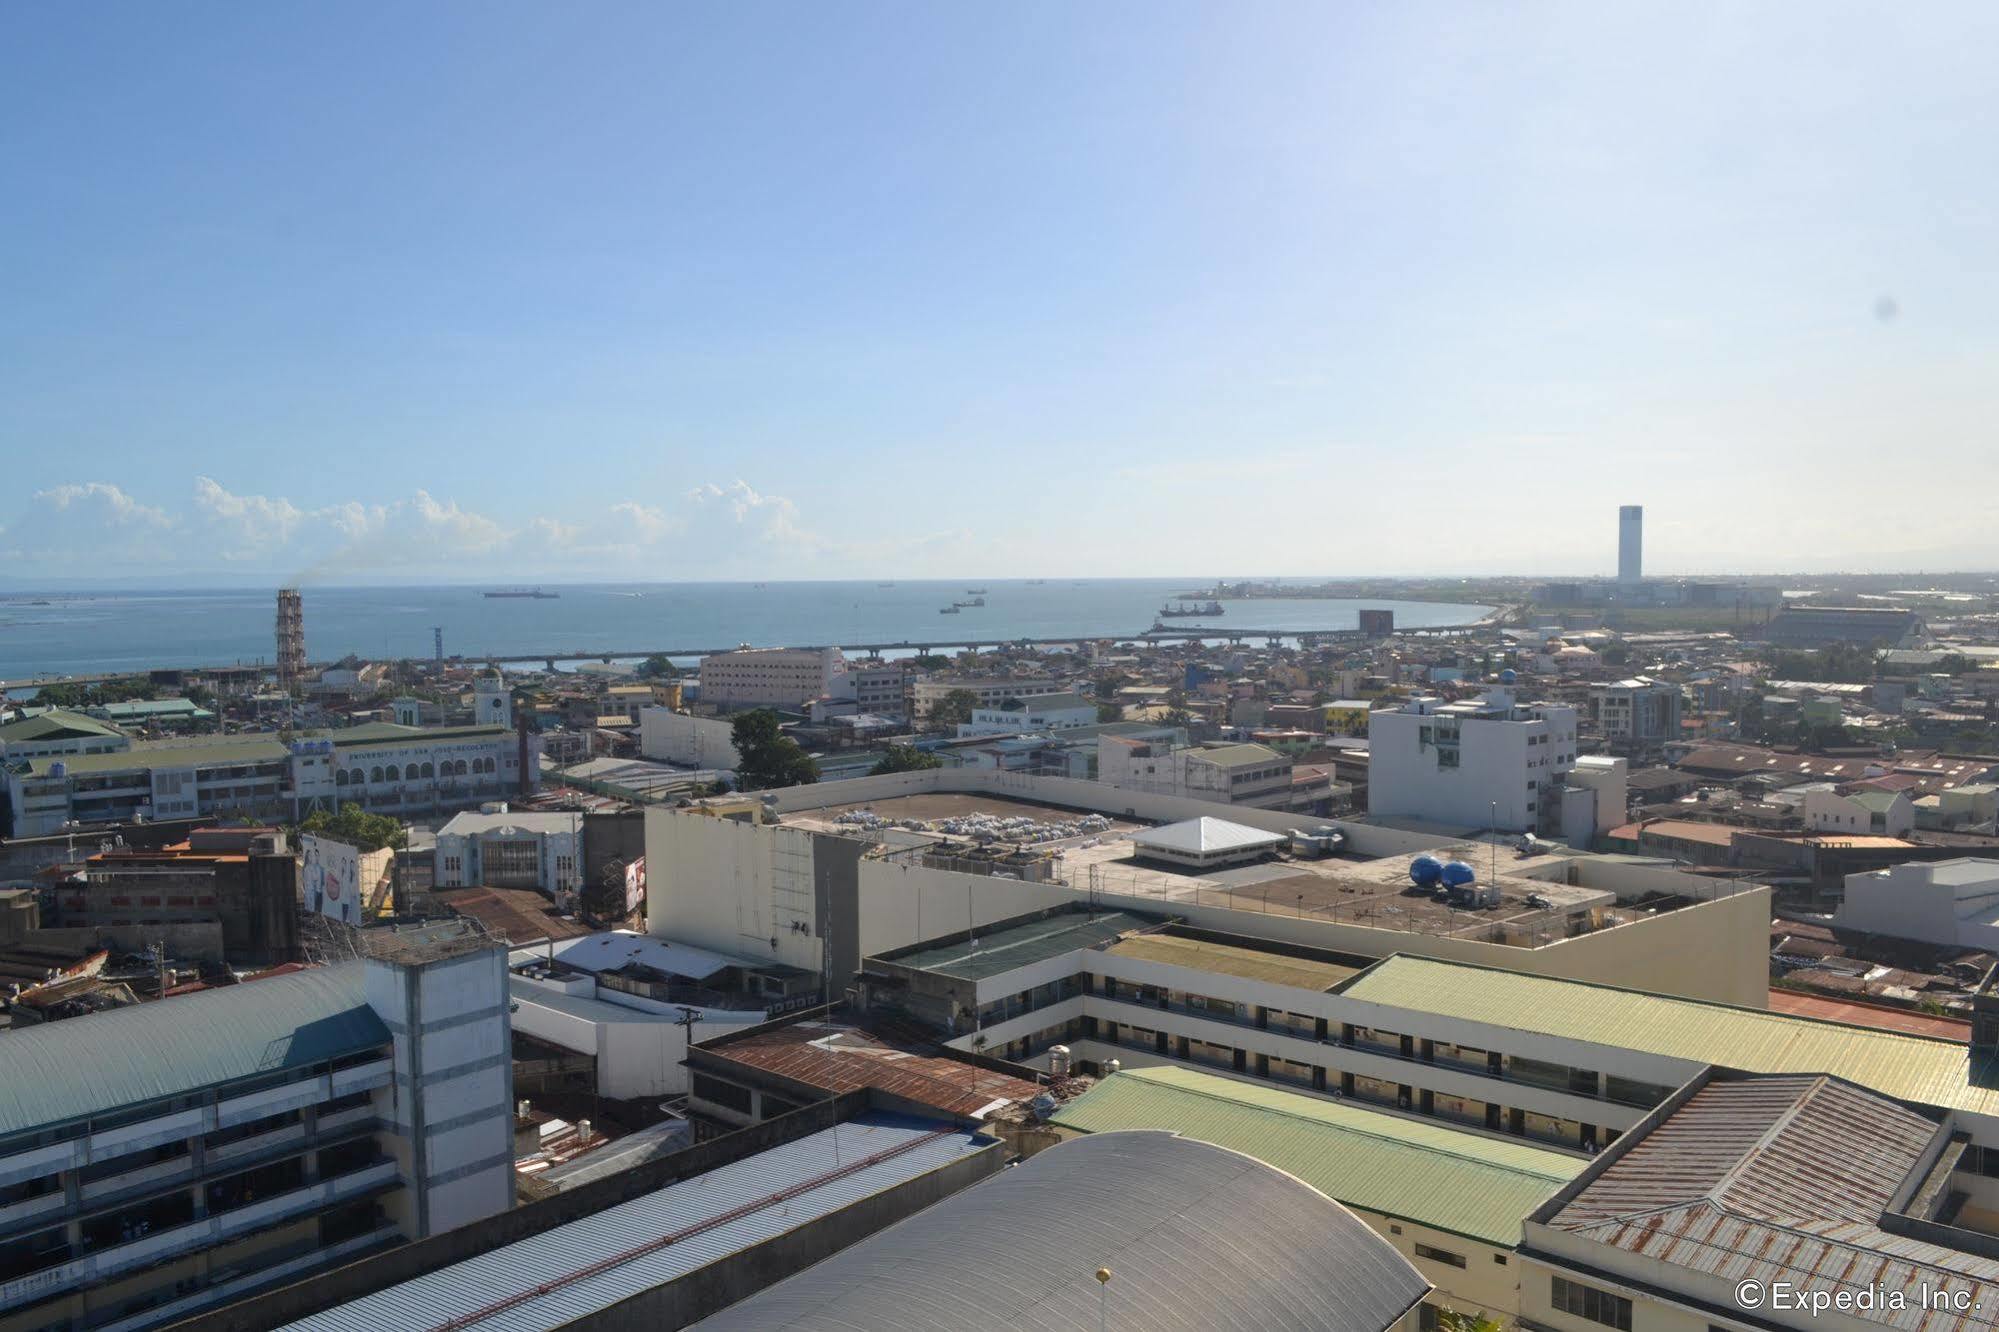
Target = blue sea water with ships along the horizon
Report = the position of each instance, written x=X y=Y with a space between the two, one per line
x=75 y=633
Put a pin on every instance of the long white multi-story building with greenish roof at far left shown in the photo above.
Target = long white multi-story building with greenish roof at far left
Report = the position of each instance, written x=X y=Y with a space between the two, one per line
x=381 y=767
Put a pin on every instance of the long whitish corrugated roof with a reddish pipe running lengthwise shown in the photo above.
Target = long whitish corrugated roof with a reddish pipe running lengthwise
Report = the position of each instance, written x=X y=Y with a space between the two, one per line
x=527 y=1265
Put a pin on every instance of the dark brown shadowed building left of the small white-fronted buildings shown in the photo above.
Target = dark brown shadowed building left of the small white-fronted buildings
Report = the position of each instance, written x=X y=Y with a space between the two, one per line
x=225 y=893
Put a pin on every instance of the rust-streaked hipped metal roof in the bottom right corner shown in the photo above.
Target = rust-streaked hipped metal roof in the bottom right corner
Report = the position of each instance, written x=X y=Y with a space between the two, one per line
x=1780 y=1181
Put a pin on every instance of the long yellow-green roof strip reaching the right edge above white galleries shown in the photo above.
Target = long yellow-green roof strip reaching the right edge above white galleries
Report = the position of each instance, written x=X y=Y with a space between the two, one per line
x=1922 y=1069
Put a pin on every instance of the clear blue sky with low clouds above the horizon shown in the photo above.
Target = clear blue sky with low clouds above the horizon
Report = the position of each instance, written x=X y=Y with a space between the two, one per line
x=371 y=291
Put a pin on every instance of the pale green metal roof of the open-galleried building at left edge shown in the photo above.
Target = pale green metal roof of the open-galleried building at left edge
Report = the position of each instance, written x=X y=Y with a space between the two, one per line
x=127 y=1057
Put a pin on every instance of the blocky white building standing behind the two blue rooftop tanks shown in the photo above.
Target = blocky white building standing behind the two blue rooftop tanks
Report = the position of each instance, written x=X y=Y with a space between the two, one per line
x=1472 y=765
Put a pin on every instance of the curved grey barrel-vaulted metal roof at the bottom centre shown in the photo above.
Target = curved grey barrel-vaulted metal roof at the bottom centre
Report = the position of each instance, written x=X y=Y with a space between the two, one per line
x=1194 y=1237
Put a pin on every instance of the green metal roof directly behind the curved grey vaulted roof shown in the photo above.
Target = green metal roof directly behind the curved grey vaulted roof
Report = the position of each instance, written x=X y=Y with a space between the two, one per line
x=1380 y=1163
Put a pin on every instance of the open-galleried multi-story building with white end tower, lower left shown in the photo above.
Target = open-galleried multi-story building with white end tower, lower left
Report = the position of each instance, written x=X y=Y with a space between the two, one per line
x=173 y=1157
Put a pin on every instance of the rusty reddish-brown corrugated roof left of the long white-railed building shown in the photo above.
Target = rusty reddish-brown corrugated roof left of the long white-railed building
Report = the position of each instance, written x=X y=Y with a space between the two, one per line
x=845 y=1057
